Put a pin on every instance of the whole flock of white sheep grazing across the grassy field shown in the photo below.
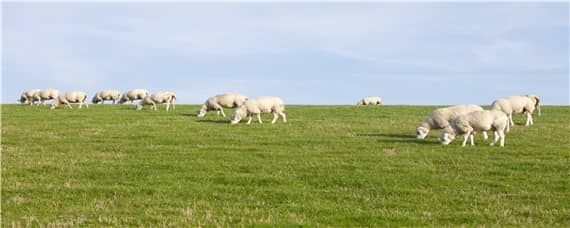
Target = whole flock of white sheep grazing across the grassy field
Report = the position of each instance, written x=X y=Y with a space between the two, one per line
x=455 y=120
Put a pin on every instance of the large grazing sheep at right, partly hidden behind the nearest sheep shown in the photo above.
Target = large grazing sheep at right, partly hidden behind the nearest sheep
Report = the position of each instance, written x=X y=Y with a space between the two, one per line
x=441 y=117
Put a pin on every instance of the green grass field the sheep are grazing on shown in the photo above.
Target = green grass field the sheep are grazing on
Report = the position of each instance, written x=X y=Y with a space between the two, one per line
x=329 y=165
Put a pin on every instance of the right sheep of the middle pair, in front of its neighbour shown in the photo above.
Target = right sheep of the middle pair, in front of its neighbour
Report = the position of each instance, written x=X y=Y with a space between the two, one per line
x=258 y=106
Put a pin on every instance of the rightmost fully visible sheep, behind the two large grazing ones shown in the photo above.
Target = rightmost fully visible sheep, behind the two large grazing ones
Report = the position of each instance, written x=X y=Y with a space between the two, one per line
x=514 y=105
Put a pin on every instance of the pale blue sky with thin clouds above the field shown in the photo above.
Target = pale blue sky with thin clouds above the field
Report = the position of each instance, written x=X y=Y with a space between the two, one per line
x=423 y=53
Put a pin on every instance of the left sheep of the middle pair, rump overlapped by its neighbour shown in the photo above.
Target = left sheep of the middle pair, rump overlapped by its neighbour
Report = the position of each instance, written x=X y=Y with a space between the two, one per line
x=220 y=101
